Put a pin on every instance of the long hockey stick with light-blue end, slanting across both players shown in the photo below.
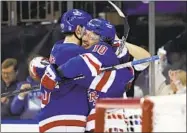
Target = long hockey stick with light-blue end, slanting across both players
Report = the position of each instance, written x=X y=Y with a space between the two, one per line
x=116 y=67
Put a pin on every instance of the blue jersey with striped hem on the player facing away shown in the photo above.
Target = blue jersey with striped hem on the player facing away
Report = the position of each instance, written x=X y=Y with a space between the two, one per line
x=67 y=105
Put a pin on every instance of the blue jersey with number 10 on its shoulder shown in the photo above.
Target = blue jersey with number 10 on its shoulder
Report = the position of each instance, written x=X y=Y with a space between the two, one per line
x=101 y=84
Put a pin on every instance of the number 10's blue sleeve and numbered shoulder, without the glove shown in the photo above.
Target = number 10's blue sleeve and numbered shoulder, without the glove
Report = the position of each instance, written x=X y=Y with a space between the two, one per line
x=89 y=64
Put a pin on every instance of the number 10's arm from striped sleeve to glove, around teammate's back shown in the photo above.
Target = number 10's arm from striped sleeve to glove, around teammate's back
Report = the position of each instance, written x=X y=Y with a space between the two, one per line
x=86 y=64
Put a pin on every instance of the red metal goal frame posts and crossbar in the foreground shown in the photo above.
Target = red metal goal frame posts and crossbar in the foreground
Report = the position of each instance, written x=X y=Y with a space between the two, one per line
x=103 y=104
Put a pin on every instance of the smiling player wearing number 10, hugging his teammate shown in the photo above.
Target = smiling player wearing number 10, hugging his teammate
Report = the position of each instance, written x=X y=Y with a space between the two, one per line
x=102 y=54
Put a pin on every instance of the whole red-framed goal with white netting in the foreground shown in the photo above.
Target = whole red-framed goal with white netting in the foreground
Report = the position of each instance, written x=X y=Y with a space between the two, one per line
x=149 y=114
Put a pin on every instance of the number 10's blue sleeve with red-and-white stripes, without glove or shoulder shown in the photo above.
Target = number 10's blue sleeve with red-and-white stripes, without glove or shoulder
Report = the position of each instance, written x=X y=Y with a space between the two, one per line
x=86 y=64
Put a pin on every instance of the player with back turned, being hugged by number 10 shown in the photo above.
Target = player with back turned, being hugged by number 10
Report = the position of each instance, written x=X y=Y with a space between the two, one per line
x=65 y=109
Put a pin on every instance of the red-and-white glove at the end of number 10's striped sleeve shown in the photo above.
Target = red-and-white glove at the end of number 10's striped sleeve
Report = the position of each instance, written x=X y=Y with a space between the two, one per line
x=50 y=78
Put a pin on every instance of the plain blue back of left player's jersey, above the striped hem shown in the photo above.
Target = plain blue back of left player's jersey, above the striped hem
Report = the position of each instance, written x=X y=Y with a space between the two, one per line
x=68 y=96
